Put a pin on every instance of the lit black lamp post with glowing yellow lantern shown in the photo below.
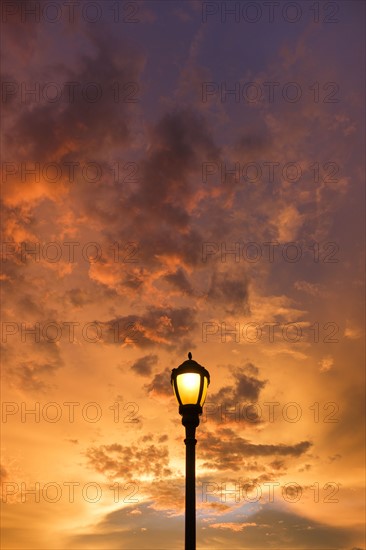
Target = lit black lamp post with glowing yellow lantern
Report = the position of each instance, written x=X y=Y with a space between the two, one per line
x=190 y=382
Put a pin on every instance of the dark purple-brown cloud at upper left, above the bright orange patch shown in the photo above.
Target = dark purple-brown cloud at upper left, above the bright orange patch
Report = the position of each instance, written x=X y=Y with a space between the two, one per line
x=78 y=125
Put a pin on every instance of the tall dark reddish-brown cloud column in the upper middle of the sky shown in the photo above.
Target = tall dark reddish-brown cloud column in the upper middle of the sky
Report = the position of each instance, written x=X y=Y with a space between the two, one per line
x=161 y=204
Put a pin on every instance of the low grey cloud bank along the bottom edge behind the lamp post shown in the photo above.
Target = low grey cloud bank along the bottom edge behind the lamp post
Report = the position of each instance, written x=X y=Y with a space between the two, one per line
x=144 y=525
